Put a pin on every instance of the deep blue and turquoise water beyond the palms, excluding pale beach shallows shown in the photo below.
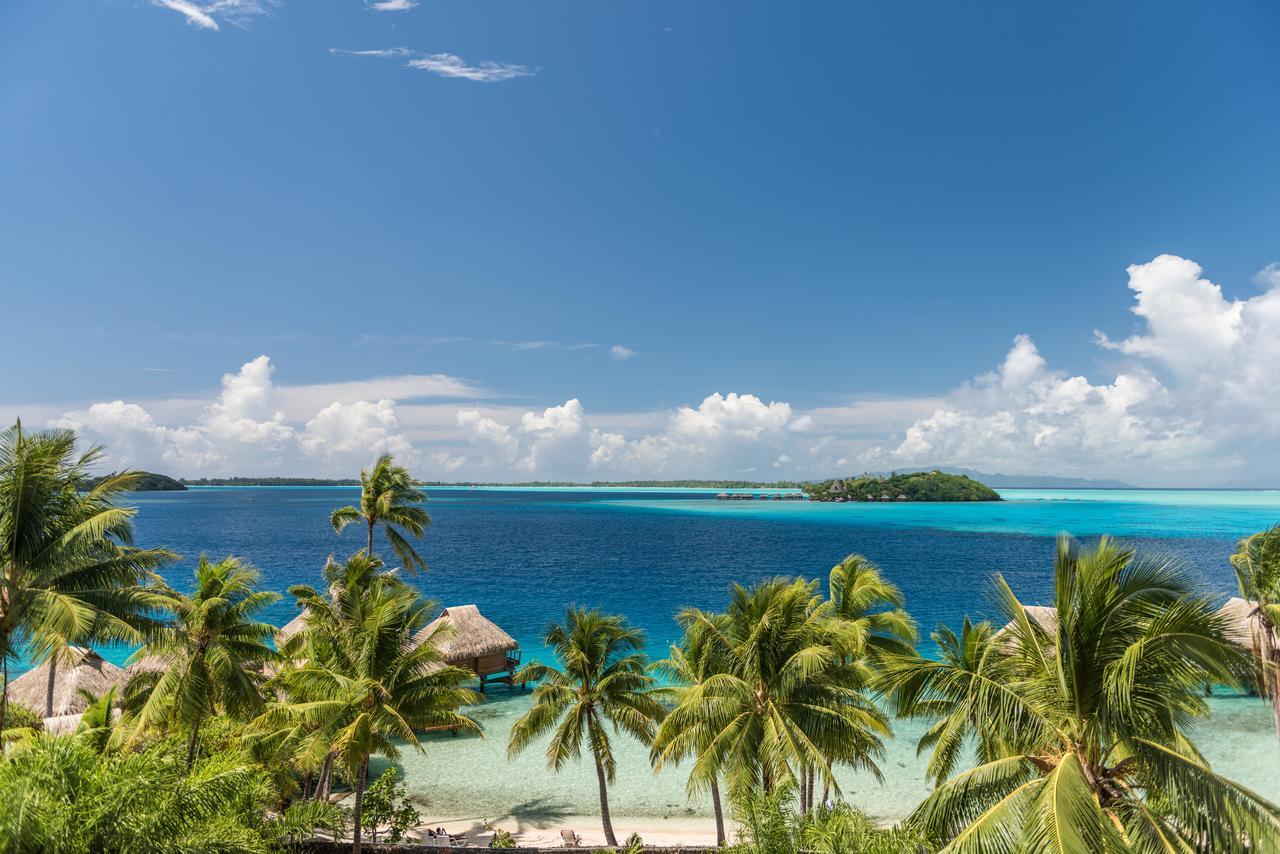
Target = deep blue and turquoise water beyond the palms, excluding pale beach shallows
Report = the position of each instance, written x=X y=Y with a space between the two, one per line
x=522 y=556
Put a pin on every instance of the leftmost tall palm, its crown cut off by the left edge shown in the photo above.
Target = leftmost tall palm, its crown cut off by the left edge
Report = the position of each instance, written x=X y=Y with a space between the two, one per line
x=68 y=569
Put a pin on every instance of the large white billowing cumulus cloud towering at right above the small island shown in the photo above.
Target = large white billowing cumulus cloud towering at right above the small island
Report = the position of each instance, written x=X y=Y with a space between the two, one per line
x=1196 y=396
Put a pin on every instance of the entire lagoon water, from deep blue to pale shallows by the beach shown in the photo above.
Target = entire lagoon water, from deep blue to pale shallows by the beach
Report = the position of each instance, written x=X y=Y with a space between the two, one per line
x=524 y=555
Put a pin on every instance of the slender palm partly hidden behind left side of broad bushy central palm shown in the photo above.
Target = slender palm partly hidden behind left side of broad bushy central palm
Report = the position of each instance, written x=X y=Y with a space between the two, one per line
x=689 y=668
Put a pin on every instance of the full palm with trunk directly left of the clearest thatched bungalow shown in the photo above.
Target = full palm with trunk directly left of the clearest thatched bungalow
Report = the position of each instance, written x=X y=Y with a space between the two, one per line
x=373 y=675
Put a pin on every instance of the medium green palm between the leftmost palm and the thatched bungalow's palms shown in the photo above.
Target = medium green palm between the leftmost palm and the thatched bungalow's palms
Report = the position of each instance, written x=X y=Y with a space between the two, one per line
x=214 y=651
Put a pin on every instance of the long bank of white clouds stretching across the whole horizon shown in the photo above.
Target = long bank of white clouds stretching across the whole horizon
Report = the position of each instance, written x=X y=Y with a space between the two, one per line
x=1191 y=401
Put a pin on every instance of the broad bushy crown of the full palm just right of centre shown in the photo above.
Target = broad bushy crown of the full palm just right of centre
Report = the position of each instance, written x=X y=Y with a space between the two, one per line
x=790 y=696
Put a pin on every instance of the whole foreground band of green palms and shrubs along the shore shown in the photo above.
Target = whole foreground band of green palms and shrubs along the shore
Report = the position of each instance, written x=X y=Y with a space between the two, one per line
x=1058 y=729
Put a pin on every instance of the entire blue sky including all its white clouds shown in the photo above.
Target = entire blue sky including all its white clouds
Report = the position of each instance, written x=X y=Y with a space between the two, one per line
x=516 y=241
